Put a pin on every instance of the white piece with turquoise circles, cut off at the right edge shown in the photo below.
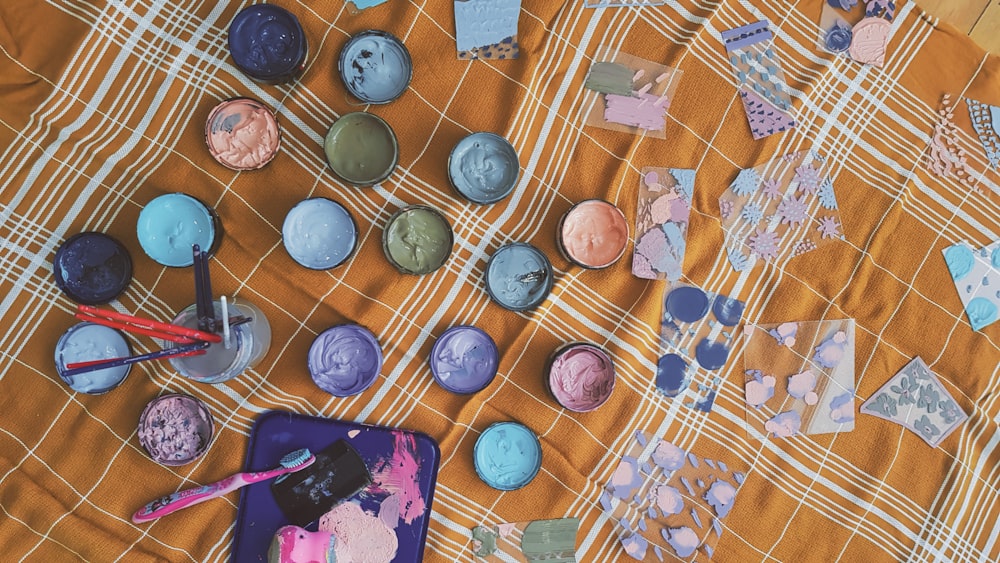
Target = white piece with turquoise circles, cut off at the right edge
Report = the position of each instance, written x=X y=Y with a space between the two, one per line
x=976 y=274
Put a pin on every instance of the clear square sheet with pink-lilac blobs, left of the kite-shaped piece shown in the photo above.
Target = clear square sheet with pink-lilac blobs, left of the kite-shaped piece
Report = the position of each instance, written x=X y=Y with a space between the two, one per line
x=799 y=377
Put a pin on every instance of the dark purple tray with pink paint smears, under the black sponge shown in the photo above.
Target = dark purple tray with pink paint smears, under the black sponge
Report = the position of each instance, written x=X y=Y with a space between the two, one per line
x=276 y=433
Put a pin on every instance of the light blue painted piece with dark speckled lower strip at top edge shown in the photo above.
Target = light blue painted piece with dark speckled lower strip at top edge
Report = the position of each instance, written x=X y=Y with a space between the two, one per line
x=487 y=29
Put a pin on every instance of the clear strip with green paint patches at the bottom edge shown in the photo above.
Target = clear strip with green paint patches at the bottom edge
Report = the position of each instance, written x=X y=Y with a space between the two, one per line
x=537 y=540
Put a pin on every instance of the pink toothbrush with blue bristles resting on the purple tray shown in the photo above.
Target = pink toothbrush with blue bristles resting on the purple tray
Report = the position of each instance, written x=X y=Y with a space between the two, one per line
x=292 y=462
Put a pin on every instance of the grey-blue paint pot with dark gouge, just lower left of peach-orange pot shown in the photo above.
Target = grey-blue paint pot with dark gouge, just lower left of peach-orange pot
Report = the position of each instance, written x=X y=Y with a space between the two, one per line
x=518 y=277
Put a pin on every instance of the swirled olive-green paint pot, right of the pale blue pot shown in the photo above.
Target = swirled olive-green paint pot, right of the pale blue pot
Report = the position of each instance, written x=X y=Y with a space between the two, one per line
x=417 y=240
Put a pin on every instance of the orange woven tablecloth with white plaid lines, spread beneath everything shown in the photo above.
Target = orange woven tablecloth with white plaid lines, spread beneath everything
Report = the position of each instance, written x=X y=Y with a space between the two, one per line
x=102 y=106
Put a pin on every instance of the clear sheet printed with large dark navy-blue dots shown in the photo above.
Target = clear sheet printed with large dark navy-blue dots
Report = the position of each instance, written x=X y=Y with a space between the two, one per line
x=697 y=329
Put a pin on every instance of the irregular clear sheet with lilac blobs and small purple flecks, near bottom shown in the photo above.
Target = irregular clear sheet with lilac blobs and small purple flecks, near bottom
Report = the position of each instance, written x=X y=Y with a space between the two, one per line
x=669 y=502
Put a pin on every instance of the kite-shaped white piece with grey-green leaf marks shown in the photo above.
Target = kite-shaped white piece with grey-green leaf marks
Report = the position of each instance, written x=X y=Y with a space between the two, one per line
x=915 y=398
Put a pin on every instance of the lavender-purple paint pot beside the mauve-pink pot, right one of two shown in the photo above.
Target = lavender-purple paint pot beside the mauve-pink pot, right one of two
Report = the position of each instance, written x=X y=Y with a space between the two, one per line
x=464 y=359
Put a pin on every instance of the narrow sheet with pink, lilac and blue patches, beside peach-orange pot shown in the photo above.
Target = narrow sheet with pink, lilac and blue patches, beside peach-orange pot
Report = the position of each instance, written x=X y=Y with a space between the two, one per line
x=661 y=222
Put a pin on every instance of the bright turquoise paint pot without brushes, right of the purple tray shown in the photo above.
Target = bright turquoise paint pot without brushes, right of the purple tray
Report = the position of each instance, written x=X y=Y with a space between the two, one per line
x=507 y=456
